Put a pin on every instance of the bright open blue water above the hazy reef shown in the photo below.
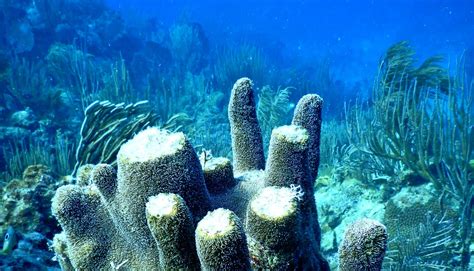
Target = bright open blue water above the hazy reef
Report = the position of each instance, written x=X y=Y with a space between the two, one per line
x=353 y=34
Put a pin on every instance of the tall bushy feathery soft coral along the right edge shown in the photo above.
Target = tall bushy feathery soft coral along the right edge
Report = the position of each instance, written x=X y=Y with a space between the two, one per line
x=427 y=125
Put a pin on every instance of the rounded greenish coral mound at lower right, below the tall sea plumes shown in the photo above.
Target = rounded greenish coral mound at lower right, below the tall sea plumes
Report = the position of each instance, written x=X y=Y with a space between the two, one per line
x=427 y=227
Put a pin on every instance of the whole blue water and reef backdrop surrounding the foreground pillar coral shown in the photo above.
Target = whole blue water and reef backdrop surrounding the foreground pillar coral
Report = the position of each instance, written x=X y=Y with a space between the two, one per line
x=78 y=79
